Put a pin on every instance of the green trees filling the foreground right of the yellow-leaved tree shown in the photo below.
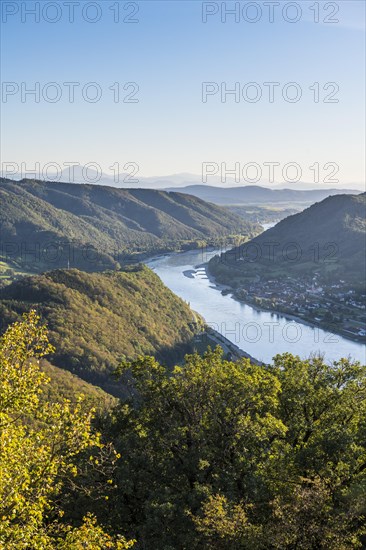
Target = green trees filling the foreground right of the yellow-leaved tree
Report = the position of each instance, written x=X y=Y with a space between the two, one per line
x=238 y=456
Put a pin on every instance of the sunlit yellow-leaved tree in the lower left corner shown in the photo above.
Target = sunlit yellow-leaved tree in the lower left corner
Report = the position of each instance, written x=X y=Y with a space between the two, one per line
x=40 y=445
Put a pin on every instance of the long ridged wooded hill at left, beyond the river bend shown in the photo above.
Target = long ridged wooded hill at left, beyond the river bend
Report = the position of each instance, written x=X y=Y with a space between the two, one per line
x=47 y=225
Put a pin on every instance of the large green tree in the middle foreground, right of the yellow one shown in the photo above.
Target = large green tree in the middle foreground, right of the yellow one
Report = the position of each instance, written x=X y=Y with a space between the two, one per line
x=204 y=429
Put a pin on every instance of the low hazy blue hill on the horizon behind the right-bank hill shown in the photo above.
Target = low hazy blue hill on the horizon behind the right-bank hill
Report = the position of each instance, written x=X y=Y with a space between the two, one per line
x=258 y=195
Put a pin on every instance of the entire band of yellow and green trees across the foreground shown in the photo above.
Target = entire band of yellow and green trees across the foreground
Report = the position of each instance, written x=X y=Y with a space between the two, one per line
x=212 y=455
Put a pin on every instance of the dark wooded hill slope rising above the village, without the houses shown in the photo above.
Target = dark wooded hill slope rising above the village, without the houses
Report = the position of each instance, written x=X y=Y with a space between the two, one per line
x=328 y=238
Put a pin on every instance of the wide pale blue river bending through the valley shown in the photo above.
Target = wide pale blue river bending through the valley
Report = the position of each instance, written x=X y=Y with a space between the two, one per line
x=259 y=333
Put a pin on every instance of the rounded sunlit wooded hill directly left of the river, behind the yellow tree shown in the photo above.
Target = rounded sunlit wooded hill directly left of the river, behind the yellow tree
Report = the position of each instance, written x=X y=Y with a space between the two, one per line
x=96 y=318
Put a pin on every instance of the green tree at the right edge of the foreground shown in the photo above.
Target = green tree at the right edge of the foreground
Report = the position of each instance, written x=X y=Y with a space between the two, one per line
x=320 y=471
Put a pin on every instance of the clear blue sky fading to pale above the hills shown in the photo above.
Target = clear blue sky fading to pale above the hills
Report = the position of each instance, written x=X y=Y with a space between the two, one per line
x=149 y=81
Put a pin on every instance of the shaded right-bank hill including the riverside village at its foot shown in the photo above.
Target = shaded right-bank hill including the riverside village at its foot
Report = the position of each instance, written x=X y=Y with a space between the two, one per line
x=311 y=265
